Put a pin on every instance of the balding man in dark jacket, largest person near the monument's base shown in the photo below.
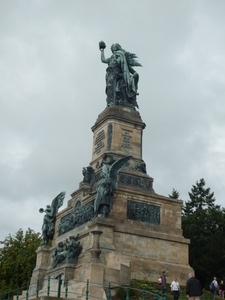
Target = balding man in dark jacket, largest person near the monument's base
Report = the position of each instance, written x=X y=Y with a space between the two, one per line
x=193 y=287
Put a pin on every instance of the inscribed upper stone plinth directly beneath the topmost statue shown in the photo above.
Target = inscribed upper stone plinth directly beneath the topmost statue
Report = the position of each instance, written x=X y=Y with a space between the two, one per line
x=117 y=131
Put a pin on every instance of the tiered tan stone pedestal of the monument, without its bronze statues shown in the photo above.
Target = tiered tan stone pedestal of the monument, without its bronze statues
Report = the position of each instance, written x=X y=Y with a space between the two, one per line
x=142 y=234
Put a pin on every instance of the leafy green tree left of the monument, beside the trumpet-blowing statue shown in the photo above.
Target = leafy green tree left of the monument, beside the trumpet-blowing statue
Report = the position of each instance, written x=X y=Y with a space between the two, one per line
x=18 y=259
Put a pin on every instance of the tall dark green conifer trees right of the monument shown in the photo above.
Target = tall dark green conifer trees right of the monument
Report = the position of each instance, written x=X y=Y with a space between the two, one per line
x=203 y=222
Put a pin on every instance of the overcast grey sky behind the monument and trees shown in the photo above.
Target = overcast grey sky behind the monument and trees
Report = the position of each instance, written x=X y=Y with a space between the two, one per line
x=52 y=89
